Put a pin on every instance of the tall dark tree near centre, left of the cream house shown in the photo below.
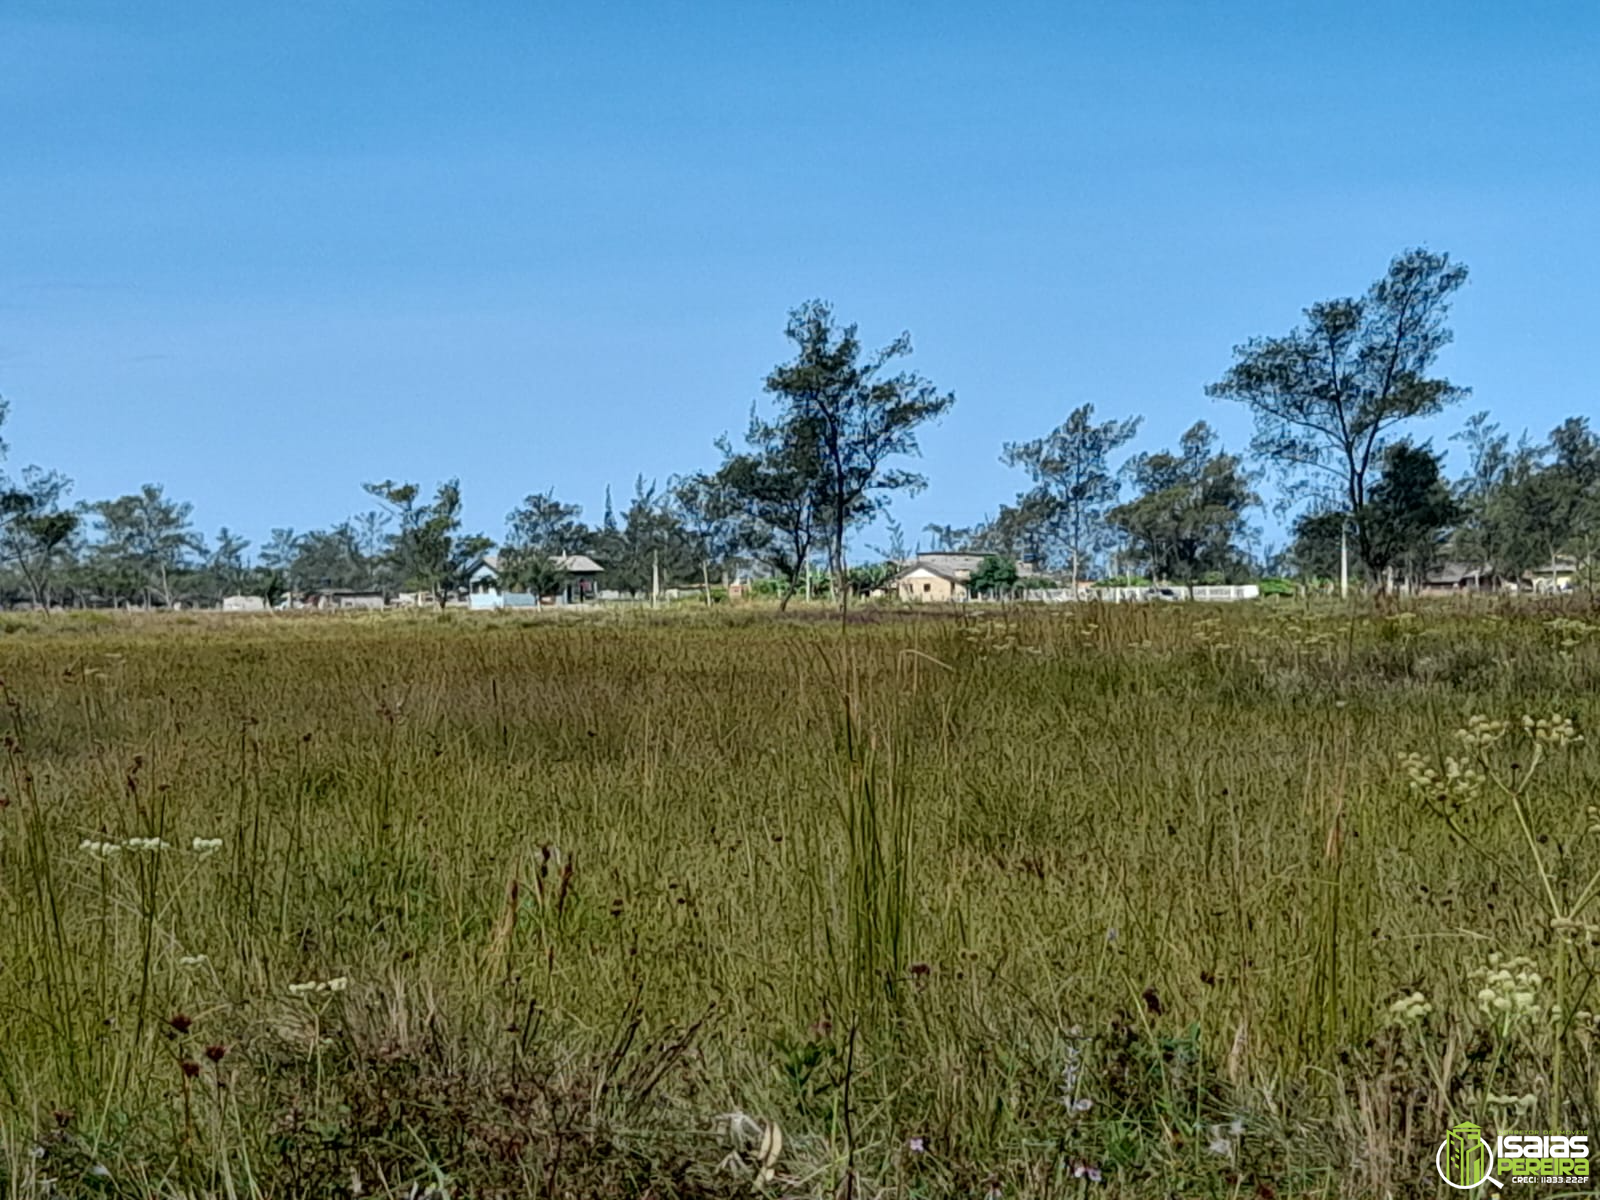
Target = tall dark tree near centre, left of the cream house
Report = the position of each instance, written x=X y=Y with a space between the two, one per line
x=858 y=415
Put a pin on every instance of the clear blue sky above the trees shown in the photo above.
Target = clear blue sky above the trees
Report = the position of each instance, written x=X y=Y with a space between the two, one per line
x=262 y=254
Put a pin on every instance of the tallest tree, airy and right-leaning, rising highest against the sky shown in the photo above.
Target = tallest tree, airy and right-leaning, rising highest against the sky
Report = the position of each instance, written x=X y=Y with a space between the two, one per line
x=1327 y=394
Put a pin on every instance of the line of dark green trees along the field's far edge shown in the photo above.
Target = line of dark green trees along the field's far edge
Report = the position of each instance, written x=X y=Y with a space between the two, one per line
x=1334 y=404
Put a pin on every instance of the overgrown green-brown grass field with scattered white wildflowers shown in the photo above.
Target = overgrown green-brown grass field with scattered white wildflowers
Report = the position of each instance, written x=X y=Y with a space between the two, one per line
x=1116 y=902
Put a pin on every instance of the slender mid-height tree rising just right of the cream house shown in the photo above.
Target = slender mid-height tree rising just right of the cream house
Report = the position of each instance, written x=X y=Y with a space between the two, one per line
x=1074 y=481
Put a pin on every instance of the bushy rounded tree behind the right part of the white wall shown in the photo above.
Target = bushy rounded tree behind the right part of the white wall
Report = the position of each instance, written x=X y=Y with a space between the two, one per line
x=1190 y=511
